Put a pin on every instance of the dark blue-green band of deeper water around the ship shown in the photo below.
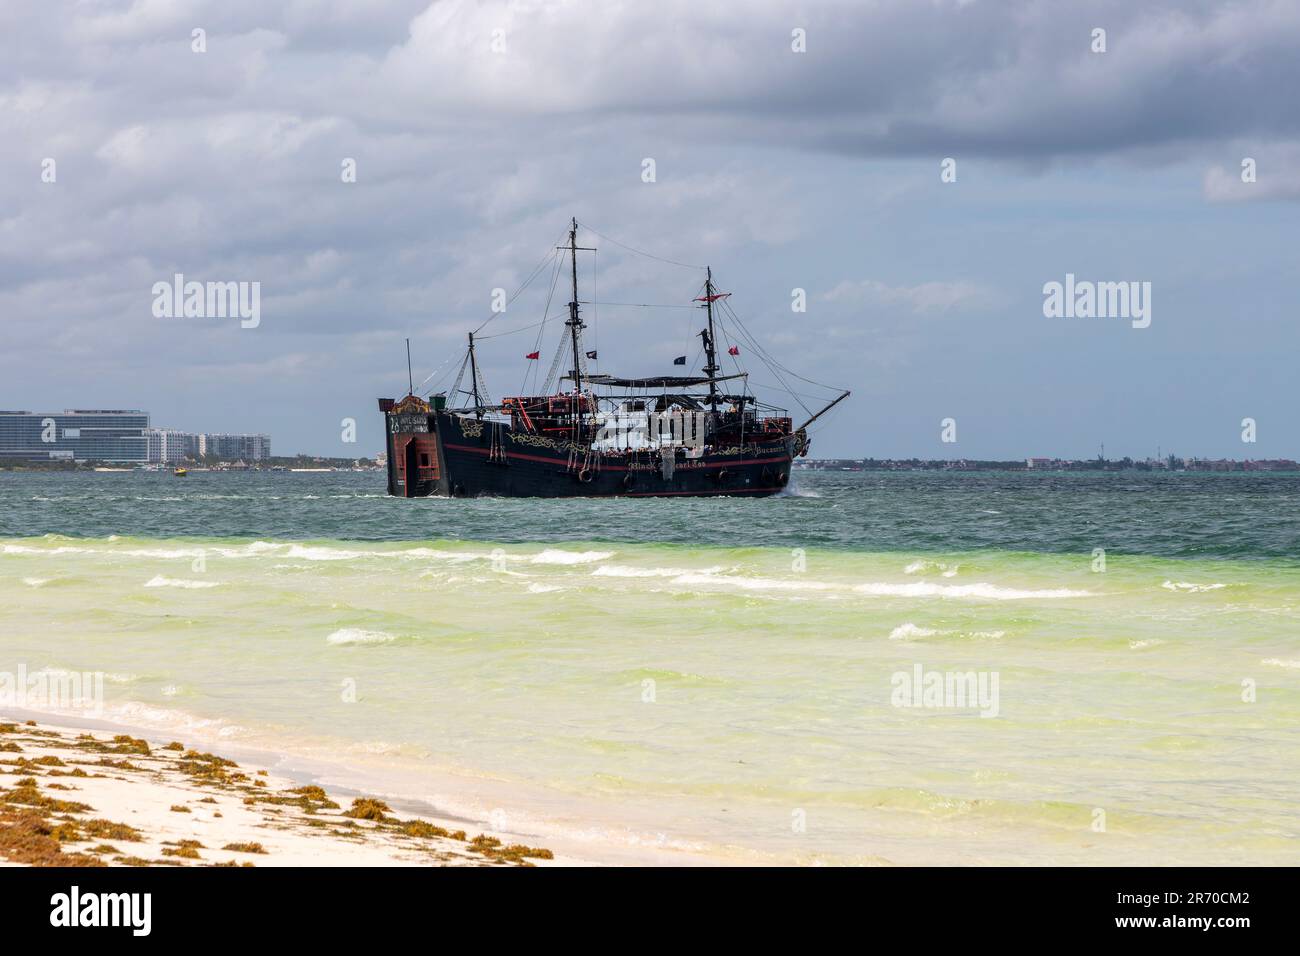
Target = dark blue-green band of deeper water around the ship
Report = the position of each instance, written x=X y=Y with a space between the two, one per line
x=1181 y=516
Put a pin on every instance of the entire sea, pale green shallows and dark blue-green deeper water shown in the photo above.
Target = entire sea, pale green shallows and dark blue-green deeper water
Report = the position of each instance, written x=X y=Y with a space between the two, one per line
x=730 y=678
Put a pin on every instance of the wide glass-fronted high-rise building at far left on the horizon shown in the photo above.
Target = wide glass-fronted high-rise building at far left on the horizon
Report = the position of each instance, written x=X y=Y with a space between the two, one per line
x=101 y=435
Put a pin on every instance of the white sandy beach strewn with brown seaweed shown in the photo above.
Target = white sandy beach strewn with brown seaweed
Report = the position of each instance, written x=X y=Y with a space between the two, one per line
x=77 y=798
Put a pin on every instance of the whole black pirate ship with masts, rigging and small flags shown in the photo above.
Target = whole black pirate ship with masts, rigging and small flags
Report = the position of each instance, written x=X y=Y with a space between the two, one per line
x=603 y=435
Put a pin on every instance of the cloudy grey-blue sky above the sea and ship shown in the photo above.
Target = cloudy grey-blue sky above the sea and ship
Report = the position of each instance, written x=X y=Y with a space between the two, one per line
x=479 y=129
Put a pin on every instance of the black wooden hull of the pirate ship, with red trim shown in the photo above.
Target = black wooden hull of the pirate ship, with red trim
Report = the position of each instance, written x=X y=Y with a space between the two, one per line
x=440 y=453
